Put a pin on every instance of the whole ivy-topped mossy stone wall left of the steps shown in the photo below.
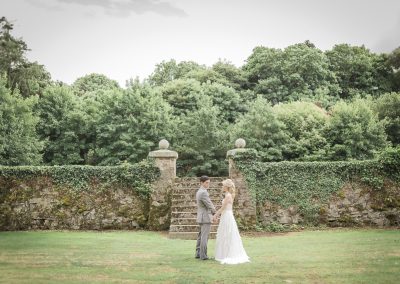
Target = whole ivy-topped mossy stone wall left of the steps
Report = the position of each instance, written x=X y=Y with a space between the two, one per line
x=76 y=197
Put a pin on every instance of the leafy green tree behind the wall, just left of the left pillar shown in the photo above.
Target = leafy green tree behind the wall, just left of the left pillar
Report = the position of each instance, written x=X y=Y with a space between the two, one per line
x=130 y=125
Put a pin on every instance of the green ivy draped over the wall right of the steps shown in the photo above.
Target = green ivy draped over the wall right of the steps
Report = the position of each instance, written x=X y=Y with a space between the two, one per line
x=308 y=185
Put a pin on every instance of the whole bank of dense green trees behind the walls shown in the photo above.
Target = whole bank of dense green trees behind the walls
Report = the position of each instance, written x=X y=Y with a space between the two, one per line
x=293 y=104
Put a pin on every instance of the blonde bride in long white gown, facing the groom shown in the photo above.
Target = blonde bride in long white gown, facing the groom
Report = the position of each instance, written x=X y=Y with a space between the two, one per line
x=228 y=248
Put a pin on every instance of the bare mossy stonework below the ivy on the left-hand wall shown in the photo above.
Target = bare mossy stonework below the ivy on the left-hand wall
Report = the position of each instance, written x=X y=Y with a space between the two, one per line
x=37 y=203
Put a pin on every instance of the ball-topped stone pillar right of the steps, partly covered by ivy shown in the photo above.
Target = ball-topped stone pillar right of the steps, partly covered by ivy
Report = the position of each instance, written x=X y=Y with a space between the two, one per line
x=245 y=205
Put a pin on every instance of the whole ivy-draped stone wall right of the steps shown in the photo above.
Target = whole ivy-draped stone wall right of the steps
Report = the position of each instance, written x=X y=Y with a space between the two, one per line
x=332 y=193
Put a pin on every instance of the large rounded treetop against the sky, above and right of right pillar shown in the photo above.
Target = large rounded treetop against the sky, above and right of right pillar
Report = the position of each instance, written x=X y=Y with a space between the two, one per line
x=300 y=71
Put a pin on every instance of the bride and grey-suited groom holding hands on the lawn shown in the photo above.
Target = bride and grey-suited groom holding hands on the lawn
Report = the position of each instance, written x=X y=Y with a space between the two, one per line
x=228 y=247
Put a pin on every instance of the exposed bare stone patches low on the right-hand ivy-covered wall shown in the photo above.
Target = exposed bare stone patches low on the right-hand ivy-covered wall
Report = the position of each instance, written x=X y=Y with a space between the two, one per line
x=355 y=204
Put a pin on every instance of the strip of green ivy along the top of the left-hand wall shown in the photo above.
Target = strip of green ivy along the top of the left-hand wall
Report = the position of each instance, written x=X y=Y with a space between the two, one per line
x=137 y=176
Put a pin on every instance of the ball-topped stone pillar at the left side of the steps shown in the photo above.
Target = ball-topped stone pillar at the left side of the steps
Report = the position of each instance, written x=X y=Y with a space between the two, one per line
x=160 y=199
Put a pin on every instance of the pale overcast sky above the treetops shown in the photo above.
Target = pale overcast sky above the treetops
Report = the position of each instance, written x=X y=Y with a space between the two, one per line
x=123 y=39
